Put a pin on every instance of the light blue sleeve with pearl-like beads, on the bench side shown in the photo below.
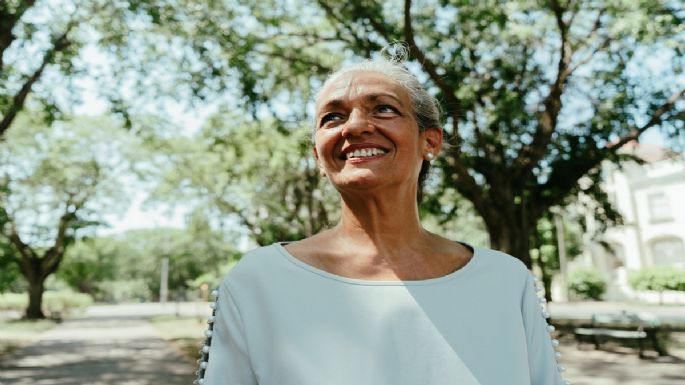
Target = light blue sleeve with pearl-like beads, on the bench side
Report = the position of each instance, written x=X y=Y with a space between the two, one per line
x=542 y=356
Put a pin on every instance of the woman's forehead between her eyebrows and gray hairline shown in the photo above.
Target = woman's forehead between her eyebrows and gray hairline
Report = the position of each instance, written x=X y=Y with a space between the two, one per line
x=361 y=85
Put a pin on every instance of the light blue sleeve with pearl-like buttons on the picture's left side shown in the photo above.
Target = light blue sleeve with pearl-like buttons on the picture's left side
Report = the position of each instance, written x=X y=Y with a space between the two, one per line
x=225 y=356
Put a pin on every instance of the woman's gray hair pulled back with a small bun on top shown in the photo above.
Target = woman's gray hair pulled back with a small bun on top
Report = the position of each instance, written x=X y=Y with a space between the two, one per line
x=424 y=105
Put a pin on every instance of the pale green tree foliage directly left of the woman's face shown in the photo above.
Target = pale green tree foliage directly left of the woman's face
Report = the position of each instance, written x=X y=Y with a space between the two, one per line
x=249 y=173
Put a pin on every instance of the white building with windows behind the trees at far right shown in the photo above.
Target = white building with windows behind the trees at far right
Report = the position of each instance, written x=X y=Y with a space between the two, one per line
x=651 y=198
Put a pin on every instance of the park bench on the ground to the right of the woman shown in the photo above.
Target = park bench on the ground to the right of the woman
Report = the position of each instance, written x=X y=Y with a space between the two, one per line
x=621 y=326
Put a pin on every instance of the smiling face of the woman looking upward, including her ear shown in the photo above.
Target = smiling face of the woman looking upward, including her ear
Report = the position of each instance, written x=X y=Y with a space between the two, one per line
x=367 y=135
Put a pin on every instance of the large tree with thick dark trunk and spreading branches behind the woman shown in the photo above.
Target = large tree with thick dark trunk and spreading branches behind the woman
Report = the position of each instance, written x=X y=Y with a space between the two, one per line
x=536 y=94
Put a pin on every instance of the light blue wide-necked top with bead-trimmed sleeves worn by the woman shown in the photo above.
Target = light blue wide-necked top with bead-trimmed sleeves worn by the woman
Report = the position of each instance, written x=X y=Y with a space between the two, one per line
x=280 y=321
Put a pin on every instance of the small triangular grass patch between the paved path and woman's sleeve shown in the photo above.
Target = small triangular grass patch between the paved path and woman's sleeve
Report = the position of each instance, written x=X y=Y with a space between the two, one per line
x=185 y=333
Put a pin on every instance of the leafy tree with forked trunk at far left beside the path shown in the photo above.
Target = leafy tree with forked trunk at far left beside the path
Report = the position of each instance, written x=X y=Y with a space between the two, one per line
x=55 y=186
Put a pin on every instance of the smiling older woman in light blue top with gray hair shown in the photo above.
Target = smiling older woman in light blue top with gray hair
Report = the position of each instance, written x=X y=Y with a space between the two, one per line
x=377 y=299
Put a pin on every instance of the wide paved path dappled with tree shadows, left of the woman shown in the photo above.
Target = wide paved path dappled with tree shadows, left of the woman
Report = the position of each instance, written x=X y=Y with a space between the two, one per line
x=100 y=348
